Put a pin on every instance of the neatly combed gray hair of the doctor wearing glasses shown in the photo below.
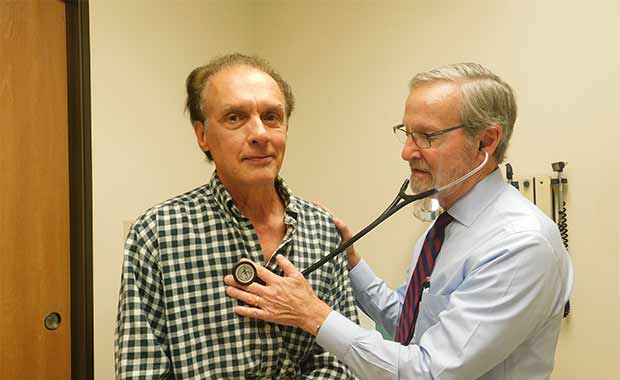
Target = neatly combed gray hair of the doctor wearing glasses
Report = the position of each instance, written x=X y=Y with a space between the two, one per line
x=486 y=99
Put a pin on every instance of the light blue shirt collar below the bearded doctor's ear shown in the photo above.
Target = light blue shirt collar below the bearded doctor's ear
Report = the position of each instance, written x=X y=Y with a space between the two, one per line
x=467 y=209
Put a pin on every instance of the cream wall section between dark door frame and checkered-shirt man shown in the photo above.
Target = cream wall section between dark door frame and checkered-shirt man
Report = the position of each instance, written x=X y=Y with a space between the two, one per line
x=143 y=145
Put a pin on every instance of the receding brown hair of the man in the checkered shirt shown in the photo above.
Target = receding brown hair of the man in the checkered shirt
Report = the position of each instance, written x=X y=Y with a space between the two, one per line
x=196 y=84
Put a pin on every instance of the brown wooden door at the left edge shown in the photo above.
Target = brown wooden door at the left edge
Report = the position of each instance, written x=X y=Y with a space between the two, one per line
x=34 y=191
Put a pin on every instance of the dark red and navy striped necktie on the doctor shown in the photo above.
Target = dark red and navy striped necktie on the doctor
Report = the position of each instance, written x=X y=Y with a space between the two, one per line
x=423 y=269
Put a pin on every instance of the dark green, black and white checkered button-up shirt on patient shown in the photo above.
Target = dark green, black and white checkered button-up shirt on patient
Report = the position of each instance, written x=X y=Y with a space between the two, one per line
x=174 y=318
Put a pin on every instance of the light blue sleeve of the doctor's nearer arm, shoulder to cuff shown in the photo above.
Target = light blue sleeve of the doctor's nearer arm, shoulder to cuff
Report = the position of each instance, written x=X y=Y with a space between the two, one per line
x=507 y=294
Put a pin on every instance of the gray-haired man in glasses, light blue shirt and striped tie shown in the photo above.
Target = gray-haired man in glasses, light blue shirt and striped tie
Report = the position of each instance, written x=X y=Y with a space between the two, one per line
x=485 y=292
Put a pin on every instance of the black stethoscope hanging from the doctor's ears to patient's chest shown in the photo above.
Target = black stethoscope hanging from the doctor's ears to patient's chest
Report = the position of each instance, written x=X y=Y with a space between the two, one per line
x=245 y=273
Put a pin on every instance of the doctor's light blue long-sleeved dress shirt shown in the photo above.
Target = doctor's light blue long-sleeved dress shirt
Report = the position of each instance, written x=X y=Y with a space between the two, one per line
x=494 y=306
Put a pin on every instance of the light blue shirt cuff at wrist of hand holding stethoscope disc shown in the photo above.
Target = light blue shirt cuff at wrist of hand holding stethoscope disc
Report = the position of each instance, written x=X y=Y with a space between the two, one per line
x=337 y=333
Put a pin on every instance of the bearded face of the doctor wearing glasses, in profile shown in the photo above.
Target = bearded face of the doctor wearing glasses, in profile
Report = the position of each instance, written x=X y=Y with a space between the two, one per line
x=431 y=107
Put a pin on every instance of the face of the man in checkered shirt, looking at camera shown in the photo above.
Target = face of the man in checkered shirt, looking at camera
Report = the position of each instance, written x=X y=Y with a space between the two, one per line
x=246 y=126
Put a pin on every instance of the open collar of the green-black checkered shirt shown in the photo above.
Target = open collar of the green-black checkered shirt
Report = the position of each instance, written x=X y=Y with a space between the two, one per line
x=223 y=198
